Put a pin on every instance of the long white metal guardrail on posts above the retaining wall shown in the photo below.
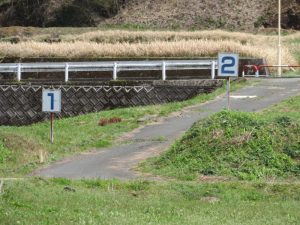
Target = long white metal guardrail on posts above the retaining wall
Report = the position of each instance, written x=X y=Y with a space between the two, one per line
x=115 y=67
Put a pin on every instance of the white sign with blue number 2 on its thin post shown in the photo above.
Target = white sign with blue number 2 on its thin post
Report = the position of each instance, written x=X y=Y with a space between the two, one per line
x=228 y=67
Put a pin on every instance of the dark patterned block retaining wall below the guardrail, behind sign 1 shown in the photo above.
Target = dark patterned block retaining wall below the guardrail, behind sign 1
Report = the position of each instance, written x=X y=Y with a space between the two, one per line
x=21 y=104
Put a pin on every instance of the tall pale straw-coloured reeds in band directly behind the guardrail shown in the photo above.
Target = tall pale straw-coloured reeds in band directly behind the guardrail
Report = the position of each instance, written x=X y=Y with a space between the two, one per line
x=198 y=48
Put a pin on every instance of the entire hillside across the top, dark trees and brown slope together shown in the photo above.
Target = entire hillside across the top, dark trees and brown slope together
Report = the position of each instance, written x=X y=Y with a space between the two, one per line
x=184 y=14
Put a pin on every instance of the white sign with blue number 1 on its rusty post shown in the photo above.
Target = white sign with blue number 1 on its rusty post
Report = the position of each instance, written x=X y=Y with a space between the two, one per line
x=52 y=105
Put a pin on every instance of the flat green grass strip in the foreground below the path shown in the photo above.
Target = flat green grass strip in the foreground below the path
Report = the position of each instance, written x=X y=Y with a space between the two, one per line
x=65 y=202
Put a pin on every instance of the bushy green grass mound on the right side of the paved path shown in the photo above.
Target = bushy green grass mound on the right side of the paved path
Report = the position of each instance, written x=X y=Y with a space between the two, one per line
x=237 y=144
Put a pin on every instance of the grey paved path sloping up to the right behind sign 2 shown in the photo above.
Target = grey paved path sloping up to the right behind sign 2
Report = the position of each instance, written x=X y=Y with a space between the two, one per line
x=119 y=161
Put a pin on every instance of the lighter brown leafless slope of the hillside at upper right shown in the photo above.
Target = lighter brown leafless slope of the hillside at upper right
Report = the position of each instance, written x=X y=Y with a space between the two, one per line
x=195 y=14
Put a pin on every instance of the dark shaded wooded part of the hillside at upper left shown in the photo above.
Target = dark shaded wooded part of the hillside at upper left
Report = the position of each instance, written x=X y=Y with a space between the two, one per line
x=47 y=13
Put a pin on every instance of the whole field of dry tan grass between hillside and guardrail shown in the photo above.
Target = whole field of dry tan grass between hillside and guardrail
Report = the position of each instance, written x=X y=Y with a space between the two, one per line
x=121 y=43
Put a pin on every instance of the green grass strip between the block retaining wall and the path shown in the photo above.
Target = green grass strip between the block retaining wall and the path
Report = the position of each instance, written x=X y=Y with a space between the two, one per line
x=20 y=147
